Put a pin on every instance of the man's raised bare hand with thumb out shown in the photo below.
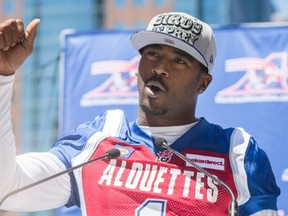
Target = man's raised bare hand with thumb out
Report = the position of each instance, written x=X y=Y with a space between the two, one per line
x=16 y=44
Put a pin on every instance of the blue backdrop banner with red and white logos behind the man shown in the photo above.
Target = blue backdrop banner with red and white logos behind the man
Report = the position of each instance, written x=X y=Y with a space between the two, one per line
x=249 y=87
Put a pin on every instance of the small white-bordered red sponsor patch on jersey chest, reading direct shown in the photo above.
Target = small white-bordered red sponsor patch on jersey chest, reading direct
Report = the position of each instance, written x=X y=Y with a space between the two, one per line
x=209 y=162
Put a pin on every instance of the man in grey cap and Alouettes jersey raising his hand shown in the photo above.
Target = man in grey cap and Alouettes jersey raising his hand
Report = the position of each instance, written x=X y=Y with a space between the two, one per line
x=177 y=58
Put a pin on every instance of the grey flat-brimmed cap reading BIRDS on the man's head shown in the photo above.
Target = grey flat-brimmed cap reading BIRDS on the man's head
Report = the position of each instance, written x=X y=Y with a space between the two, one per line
x=182 y=31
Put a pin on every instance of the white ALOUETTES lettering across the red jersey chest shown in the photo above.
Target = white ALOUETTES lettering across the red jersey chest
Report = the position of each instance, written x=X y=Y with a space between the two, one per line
x=159 y=179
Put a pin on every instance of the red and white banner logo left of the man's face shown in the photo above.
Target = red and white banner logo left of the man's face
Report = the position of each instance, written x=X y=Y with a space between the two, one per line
x=117 y=84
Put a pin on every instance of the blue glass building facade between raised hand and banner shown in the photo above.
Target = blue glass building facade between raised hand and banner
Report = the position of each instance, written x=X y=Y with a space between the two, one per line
x=40 y=74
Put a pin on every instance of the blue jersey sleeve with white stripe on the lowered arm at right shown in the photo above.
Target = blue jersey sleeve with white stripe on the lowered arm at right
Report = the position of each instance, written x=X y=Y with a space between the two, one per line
x=256 y=184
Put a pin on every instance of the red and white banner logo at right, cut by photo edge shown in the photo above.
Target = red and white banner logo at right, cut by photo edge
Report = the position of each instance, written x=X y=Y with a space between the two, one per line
x=264 y=80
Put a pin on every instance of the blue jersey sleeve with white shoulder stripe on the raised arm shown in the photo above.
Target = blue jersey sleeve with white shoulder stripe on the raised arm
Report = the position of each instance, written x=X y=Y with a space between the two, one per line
x=74 y=143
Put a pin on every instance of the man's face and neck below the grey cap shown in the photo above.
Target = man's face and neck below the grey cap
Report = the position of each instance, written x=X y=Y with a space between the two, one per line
x=169 y=82
